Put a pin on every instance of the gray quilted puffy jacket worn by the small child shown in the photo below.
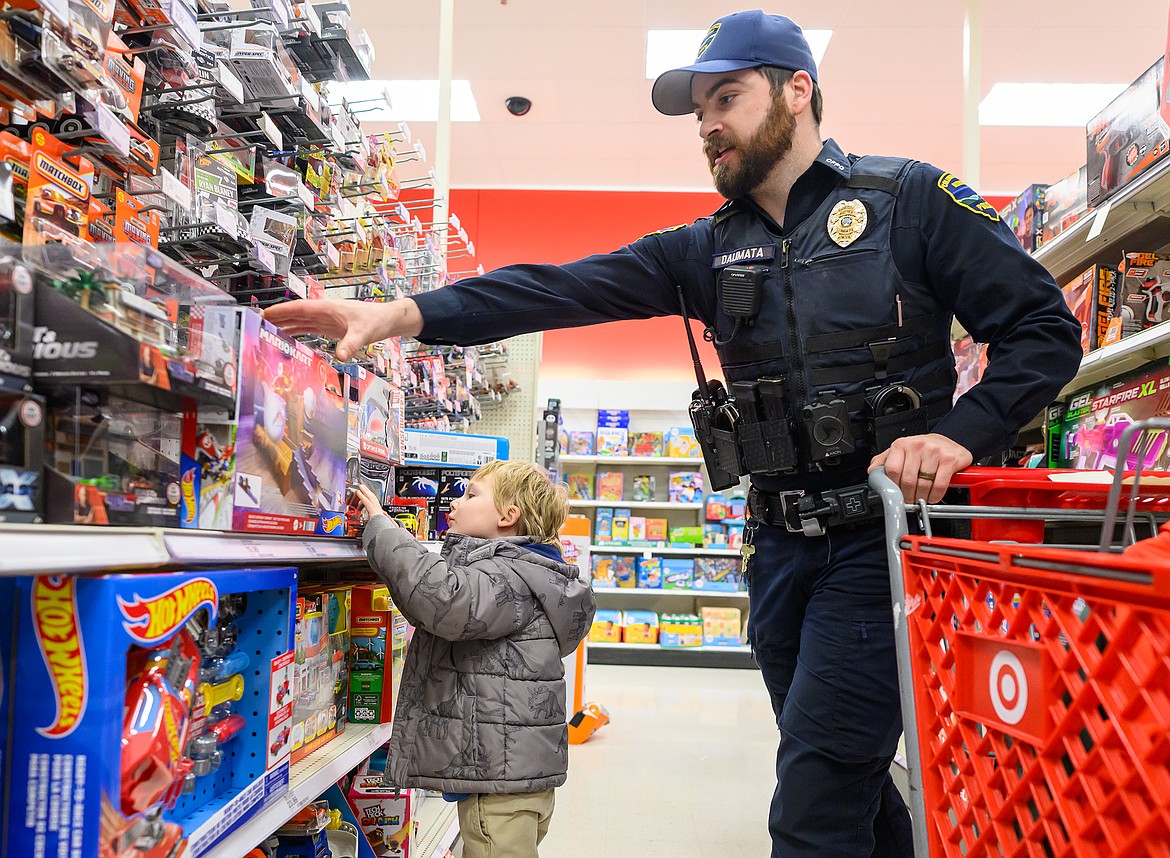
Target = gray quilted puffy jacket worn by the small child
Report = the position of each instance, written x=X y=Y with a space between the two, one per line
x=481 y=708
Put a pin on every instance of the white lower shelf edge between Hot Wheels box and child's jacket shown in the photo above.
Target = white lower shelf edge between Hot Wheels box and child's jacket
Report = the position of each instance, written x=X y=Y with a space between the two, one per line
x=308 y=779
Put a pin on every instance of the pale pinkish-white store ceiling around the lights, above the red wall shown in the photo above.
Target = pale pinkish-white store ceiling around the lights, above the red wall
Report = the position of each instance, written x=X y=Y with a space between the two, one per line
x=892 y=77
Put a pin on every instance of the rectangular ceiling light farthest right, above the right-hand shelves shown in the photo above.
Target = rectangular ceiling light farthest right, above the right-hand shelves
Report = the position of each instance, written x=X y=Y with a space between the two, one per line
x=1047 y=105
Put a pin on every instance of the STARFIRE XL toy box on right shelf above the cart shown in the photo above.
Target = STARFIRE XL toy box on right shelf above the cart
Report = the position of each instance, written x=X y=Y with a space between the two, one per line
x=1086 y=434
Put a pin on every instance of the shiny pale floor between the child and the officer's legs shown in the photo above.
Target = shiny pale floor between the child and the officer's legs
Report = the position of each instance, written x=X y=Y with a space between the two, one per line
x=685 y=768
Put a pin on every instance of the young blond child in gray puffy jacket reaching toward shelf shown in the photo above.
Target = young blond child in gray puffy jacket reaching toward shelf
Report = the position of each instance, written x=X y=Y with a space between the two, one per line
x=481 y=711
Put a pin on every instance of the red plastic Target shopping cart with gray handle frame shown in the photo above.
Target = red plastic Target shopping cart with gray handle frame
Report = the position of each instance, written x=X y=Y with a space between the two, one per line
x=1036 y=681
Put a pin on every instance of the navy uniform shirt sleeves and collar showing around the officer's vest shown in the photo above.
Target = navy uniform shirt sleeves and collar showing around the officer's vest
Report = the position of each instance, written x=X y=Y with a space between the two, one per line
x=969 y=258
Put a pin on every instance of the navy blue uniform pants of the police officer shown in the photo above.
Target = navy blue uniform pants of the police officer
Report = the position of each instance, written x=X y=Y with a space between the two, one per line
x=822 y=632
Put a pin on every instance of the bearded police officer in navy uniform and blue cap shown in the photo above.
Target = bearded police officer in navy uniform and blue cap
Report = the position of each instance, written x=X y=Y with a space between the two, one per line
x=829 y=283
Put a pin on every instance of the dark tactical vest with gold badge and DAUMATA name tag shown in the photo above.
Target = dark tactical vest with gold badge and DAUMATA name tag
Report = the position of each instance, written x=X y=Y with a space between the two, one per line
x=837 y=322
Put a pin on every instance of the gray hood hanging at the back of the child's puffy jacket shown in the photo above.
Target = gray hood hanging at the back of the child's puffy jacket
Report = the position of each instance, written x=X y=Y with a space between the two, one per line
x=568 y=601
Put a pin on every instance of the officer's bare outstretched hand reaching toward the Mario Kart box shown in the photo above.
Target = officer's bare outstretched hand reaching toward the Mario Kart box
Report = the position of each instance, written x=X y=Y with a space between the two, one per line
x=355 y=324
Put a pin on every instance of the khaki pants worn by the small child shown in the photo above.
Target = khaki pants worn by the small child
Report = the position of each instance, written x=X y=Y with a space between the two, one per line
x=494 y=826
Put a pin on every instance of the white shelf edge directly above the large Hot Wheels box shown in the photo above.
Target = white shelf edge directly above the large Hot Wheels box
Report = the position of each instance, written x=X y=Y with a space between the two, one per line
x=51 y=550
